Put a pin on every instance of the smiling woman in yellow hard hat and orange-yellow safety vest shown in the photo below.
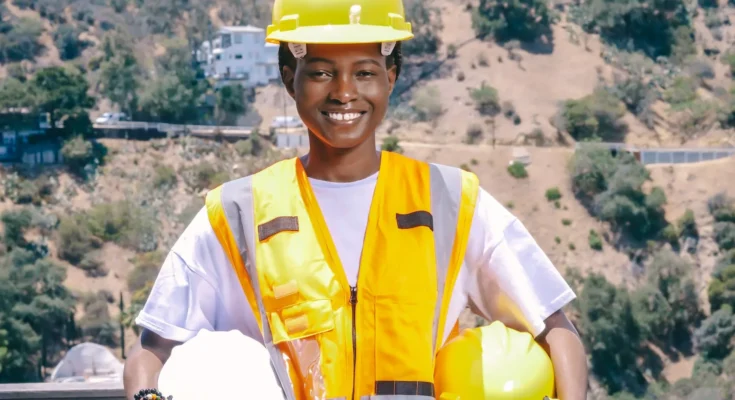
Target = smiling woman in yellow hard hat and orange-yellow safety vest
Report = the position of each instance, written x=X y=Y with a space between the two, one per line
x=352 y=265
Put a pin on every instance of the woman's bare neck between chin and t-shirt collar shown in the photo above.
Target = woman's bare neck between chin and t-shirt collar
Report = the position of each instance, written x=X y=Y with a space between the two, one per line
x=341 y=165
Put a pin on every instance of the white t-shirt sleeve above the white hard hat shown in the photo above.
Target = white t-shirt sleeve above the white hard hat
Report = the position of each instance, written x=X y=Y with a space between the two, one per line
x=184 y=299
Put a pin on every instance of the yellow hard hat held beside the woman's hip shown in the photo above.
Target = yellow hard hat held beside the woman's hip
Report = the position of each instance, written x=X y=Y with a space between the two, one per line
x=493 y=362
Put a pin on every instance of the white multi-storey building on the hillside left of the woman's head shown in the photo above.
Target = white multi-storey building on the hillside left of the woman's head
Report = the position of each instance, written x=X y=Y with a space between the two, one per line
x=239 y=53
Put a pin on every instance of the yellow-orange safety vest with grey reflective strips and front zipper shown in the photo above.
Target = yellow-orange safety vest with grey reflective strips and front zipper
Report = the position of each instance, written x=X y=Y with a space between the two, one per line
x=329 y=340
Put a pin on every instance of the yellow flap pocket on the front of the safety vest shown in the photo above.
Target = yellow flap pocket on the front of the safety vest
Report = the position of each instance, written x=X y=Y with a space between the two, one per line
x=300 y=320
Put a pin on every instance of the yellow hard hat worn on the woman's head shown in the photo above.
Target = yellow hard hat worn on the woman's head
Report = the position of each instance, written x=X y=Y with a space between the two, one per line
x=338 y=22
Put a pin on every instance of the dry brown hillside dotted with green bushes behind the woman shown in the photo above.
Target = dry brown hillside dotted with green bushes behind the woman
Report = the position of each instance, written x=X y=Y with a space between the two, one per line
x=649 y=250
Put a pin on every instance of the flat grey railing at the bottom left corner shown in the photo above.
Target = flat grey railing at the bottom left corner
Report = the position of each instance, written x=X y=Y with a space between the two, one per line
x=58 y=391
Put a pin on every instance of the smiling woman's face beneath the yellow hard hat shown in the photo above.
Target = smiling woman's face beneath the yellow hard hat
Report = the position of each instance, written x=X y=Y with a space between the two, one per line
x=341 y=91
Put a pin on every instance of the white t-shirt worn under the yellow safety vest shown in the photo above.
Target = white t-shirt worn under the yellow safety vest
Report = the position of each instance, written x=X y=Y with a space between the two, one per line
x=507 y=275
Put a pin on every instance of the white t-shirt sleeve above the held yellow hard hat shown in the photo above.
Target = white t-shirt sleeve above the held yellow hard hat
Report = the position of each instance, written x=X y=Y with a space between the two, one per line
x=510 y=277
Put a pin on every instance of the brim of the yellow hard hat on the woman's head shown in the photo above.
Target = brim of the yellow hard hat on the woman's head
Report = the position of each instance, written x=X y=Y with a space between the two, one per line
x=339 y=34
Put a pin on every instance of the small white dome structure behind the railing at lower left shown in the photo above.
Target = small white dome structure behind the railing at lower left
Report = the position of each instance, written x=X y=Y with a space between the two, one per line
x=88 y=362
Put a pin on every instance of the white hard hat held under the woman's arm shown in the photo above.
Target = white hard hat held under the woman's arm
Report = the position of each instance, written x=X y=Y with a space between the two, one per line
x=215 y=365
